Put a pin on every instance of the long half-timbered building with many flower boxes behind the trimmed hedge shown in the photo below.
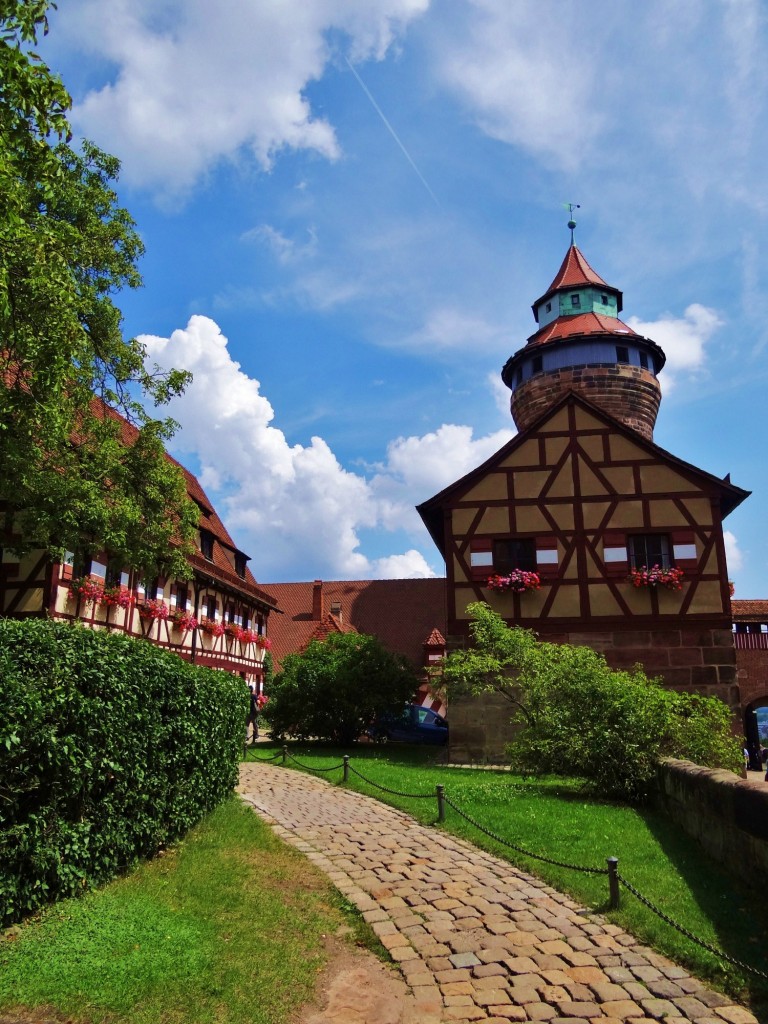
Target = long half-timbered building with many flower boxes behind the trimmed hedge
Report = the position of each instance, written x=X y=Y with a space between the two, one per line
x=219 y=618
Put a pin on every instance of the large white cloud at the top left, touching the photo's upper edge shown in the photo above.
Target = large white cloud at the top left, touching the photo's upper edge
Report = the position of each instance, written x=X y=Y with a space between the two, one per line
x=193 y=86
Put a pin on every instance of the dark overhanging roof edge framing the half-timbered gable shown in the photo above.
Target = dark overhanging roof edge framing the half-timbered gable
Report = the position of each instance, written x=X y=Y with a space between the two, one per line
x=432 y=510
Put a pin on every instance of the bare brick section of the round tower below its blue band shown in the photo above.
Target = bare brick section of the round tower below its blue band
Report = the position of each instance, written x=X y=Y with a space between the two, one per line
x=628 y=394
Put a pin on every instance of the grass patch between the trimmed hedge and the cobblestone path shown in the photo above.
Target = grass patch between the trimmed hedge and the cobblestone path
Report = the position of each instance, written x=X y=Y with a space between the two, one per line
x=228 y=927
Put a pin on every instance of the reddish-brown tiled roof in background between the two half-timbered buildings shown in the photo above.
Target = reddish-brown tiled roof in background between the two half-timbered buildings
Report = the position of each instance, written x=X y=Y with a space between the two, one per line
x=400 y=613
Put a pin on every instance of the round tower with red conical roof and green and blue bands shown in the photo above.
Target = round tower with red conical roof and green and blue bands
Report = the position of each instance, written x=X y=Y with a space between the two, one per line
x=582 y=346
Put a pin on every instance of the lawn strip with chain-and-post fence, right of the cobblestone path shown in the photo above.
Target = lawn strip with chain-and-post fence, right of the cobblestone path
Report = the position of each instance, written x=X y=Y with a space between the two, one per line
x=553 y=818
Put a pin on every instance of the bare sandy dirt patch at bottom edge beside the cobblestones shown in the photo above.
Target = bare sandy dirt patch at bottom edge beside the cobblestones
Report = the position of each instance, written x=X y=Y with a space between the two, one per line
x=358 y=989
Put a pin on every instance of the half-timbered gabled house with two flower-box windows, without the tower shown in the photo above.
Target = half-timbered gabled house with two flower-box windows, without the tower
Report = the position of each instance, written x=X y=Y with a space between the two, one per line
x=581 y=501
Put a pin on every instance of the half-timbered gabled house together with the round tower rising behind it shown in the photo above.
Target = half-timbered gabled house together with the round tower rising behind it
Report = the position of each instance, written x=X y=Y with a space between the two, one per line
x=581 y=528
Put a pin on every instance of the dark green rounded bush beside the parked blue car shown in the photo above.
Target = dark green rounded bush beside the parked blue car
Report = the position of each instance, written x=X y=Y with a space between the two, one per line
x=337 y=688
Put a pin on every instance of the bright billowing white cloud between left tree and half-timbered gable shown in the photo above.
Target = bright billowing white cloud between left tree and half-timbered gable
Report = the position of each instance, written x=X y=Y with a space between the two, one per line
x=300 y=513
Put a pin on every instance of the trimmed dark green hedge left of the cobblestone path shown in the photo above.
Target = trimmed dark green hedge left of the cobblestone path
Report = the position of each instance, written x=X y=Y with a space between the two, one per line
x=110 y=749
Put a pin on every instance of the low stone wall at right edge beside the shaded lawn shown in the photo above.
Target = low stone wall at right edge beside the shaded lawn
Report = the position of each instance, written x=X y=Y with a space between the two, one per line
x=729 y=818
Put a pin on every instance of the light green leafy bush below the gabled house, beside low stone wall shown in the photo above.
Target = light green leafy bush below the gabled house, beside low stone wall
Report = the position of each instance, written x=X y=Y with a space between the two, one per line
x=577 y=716
